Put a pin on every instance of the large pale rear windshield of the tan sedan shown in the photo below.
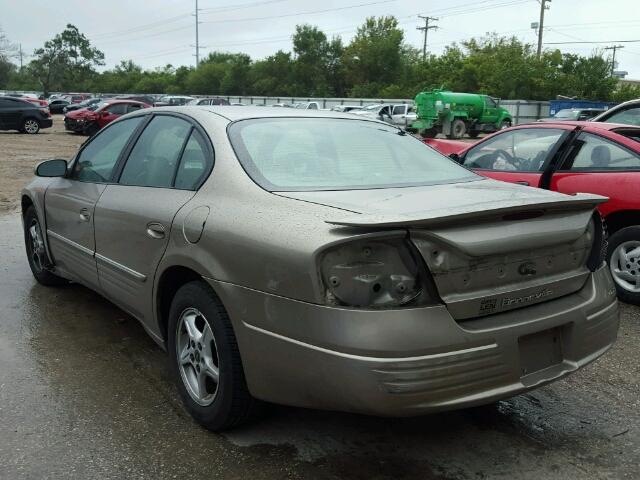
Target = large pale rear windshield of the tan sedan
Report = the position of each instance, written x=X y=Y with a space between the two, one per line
x=293 y=154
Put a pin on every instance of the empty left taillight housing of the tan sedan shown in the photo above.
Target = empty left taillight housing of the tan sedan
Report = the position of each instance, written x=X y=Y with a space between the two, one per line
x=376 y=273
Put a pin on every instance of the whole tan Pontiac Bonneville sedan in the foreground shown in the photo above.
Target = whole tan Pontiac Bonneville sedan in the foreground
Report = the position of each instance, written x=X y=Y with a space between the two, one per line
x=326 y=261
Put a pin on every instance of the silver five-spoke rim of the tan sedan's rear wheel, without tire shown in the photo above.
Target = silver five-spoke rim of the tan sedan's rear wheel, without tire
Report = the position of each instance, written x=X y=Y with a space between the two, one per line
x=197 y=357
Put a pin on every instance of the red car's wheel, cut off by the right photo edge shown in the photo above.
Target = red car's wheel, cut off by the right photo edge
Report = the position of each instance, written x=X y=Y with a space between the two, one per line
x=625 y=269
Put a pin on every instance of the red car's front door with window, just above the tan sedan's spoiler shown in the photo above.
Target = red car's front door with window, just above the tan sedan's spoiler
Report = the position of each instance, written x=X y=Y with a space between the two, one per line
x=520 y=155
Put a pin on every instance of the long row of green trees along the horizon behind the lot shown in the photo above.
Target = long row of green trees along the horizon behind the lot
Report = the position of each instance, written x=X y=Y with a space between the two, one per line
x=377 y=63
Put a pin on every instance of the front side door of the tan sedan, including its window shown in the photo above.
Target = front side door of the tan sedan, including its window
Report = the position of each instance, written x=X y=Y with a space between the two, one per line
x=70 y=201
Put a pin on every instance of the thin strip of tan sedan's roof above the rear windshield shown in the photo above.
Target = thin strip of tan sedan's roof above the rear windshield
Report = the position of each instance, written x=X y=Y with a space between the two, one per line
x=233 y=113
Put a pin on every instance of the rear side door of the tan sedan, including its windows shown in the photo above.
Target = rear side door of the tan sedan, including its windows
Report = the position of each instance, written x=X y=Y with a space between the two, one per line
x=133 y=218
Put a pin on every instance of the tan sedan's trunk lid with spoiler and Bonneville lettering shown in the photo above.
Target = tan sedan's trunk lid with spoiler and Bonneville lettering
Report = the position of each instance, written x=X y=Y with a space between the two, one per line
x=506 y=255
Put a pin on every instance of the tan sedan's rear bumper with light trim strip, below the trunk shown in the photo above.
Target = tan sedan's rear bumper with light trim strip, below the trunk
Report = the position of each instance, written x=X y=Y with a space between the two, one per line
x=413 y=361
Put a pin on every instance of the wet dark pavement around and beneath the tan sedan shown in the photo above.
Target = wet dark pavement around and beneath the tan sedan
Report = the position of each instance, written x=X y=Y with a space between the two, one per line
x=85 y=393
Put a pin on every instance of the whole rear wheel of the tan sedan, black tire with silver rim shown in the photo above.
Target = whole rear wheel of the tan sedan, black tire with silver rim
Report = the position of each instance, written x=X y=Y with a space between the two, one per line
x=228 y=403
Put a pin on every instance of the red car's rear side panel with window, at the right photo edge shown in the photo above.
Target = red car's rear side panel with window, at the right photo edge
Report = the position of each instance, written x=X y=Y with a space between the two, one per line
x=595 y=164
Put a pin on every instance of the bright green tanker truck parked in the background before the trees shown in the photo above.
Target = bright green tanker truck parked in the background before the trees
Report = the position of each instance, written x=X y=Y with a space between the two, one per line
x=454 y=114
